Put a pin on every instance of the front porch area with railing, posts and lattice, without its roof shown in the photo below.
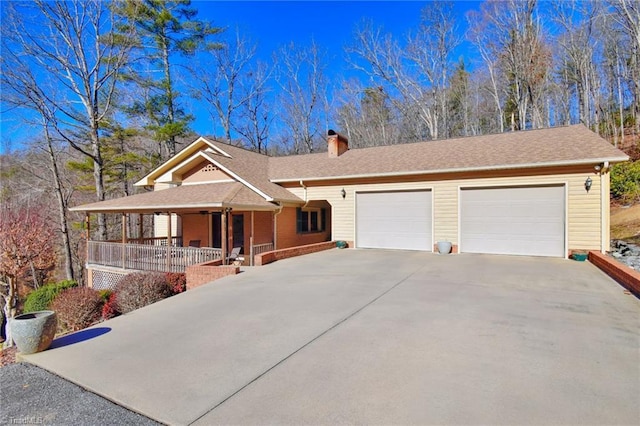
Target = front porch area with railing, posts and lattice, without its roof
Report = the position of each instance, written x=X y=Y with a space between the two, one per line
x=182 y=239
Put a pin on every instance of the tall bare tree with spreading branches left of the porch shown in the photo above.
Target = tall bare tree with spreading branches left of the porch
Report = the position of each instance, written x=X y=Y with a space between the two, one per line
x=74 y=49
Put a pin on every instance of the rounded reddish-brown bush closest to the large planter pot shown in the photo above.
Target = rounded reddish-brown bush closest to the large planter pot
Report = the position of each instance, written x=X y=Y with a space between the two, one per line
x=77 y=308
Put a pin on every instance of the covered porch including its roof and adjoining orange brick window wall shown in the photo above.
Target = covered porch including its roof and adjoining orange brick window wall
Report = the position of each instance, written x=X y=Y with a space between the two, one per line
x=193 y=225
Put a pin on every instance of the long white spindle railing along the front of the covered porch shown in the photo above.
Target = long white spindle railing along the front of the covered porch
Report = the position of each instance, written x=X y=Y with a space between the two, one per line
x=145 y=257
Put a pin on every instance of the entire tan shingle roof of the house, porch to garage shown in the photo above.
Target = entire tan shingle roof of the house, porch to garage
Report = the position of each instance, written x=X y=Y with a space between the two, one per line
x=534 y=148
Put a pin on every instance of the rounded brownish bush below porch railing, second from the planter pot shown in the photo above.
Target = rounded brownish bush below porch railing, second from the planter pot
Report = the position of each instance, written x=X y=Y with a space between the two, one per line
x=140 y=289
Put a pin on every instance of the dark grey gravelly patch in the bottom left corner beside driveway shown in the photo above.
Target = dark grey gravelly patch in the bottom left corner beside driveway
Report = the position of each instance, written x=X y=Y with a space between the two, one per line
x=31 y=395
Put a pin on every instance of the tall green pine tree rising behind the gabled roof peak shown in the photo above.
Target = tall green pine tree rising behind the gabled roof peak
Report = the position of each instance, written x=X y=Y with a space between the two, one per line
x=164 y=30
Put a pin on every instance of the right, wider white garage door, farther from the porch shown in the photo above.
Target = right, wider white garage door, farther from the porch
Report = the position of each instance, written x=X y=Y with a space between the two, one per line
x=525 y=220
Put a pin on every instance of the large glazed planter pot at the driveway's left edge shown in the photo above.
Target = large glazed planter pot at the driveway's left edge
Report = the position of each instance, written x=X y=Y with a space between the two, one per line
x=34 y=332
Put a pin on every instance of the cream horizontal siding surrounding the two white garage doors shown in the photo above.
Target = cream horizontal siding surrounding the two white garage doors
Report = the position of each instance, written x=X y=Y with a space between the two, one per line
x=584 y=214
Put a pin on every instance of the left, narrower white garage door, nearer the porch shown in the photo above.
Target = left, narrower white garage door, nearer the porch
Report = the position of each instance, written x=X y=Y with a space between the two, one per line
x=394 y=220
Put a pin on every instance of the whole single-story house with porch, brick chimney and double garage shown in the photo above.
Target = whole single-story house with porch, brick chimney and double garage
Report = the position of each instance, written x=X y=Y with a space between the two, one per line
x=538 y=192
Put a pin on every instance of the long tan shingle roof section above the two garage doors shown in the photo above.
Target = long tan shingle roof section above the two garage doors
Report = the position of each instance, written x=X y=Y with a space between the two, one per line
x=569 y=145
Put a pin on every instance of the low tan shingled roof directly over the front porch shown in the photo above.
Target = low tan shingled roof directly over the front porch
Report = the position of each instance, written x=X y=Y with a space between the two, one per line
x=185 y=198
